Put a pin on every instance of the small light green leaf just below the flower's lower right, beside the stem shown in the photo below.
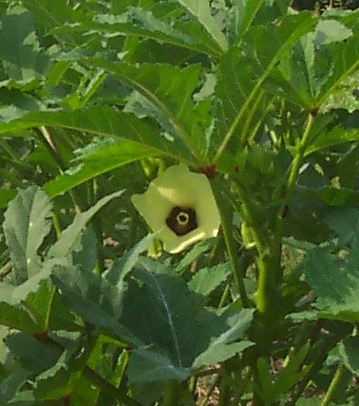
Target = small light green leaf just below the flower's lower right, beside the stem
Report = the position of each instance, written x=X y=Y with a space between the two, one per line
x=206 y=280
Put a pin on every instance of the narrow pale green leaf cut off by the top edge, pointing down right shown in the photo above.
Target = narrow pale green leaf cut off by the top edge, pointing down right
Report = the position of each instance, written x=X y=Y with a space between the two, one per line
x=201 y=11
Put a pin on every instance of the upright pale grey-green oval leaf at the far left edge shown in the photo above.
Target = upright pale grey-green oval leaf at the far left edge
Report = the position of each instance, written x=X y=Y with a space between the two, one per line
x=26 y=225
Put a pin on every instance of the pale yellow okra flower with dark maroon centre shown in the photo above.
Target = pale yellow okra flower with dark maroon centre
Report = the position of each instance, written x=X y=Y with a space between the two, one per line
x=180 y=207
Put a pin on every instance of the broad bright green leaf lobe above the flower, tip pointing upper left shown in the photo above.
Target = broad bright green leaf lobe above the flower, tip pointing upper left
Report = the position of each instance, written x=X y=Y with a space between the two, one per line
x=168 y=91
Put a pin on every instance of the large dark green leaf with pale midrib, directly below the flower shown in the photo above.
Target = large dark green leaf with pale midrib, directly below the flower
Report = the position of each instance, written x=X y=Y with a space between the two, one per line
x=172 y=320
